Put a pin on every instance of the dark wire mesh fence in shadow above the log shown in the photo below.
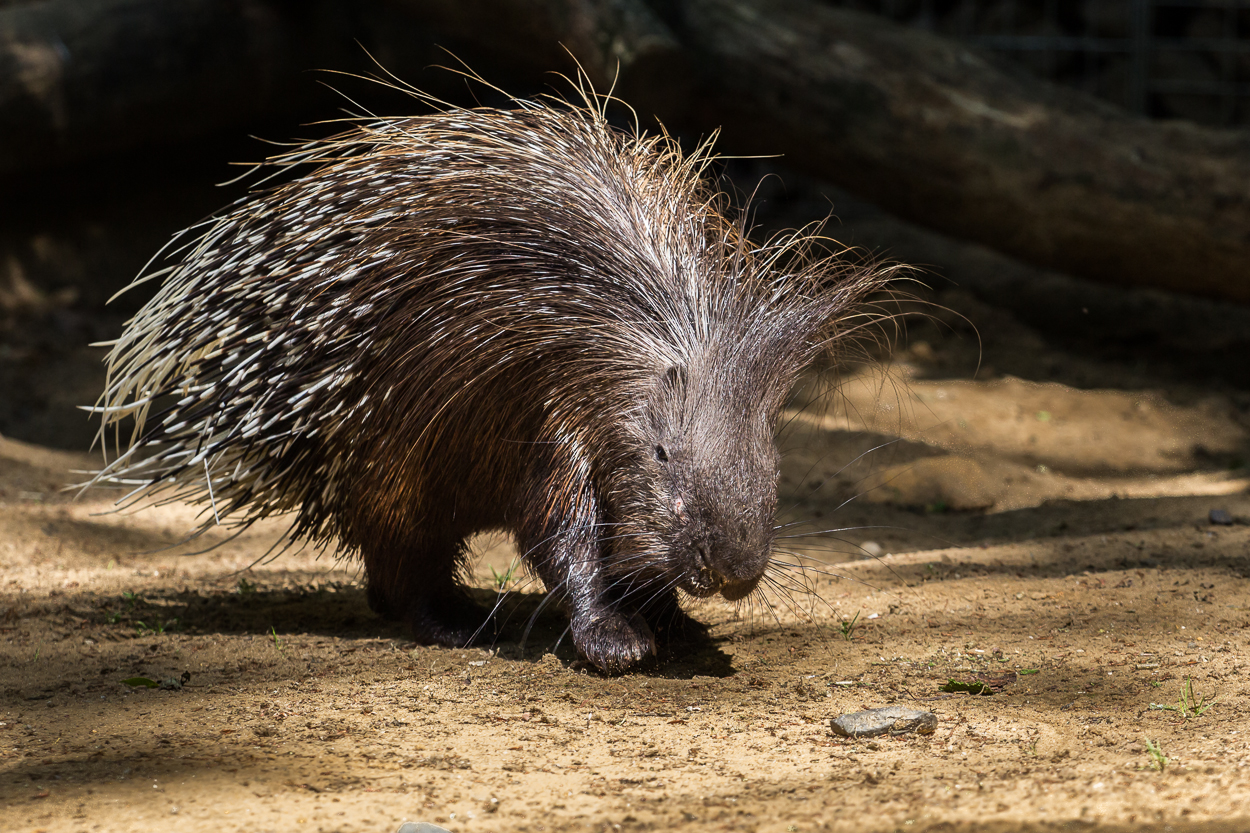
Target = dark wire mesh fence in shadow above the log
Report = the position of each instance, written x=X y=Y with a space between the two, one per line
x=1169 y=59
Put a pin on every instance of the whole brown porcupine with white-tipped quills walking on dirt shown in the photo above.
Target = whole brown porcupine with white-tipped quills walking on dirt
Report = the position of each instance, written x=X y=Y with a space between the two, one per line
x=521 y=320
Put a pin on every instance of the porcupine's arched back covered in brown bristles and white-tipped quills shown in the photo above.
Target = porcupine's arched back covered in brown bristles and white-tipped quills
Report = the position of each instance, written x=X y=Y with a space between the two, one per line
x=439 y=293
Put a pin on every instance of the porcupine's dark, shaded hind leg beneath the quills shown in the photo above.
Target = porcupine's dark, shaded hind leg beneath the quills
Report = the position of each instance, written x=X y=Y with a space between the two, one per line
x=419 y=585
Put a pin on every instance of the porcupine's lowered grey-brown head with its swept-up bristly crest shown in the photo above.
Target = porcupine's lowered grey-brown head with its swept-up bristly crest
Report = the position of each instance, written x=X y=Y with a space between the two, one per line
x=692 y=491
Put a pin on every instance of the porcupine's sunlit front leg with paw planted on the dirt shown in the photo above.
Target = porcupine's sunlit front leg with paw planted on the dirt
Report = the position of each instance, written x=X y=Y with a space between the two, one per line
x=568 y=557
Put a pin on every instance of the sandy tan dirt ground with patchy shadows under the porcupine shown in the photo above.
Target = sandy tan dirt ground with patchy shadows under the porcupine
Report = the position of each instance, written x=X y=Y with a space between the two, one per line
x=1019 y=506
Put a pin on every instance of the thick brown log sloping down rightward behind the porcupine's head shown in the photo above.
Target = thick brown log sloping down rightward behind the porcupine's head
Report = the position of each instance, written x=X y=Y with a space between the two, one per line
x=936 y=133
